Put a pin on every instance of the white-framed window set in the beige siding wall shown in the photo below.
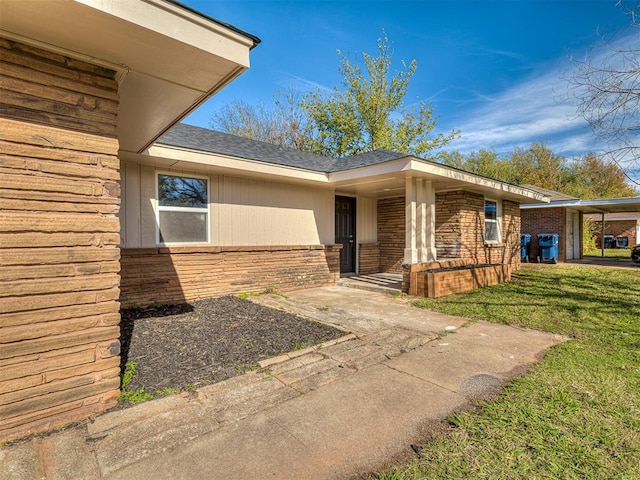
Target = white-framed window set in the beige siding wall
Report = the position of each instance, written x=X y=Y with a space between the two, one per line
x=183 y=209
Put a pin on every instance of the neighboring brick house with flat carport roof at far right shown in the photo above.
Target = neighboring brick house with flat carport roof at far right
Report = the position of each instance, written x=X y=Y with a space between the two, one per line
x=564 y=216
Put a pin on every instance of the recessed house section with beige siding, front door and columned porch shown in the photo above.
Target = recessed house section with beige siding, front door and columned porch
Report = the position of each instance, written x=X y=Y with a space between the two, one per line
x=254 y=215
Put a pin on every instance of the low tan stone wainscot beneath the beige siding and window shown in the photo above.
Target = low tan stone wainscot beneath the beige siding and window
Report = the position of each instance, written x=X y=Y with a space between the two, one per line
x=179 y=274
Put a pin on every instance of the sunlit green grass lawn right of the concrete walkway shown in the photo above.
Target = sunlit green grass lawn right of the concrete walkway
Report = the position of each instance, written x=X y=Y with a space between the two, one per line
x=576 y=414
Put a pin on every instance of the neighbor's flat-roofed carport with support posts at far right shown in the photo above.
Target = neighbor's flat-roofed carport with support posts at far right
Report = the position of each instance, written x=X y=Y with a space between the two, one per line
x=572 y=211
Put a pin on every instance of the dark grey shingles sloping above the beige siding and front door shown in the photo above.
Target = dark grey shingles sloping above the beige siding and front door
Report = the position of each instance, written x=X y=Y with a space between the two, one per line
x=204 y=139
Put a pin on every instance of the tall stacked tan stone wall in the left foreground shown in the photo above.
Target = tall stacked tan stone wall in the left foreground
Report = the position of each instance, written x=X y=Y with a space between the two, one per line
x=59 y=260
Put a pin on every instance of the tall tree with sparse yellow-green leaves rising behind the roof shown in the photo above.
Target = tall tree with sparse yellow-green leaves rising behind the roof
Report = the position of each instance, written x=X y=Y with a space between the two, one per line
x=368 y=112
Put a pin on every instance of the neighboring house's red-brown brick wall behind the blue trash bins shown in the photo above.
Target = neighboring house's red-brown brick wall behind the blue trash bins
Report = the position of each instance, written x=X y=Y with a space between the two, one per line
x=545 y=220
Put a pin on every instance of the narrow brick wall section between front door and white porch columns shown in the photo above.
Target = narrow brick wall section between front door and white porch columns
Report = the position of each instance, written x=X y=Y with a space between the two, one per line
x=391 y=234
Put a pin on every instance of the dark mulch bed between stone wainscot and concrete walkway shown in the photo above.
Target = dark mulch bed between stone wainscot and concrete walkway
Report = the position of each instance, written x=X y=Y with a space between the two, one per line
x=190 y=345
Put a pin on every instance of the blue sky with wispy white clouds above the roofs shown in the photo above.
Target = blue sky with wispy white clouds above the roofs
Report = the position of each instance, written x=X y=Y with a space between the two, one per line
x=492 y=69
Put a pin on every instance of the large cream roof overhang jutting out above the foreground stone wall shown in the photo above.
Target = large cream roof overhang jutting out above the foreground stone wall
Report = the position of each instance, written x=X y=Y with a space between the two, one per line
x=168 y=58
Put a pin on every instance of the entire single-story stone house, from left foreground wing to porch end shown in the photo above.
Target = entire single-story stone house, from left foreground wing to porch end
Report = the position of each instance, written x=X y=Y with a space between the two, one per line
x=107 y=200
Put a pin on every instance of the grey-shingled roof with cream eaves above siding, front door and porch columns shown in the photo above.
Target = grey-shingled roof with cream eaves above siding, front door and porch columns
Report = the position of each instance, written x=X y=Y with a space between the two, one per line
x=380 y=173
